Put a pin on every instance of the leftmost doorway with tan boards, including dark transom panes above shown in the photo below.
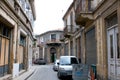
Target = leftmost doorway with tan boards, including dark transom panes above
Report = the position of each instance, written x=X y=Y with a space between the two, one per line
x=5 y=38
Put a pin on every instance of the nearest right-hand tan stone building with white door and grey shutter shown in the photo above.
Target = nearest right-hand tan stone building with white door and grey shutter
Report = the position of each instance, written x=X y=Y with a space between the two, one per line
x=99 y=22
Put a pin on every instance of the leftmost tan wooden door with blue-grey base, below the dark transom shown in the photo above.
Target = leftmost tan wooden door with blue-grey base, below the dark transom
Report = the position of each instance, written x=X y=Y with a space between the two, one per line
x=4 y=55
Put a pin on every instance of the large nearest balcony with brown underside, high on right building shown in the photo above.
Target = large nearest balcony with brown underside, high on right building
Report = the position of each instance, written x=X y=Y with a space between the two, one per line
x=83 y=12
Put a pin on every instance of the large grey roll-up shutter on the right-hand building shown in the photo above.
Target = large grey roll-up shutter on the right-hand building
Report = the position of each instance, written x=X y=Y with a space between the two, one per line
x=91 y=55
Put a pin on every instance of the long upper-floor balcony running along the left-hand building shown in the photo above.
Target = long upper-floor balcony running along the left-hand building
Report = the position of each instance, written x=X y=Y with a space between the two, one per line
x=18 y=11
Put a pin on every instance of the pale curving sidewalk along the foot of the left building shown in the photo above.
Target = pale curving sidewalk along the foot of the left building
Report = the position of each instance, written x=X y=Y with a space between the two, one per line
x=26 y=74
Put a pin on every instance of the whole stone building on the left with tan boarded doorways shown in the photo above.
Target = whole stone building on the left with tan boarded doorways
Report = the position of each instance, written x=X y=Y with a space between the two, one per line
x=16 y=35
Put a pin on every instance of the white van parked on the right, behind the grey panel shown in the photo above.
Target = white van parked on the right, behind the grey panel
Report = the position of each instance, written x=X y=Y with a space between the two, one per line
x=65 y=66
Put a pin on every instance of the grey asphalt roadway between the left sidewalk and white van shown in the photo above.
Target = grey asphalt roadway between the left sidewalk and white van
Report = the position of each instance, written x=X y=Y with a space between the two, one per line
x=44 y=72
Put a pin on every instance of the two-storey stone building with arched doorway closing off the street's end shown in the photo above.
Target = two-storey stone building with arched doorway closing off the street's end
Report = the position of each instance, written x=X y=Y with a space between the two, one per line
x=49 y=46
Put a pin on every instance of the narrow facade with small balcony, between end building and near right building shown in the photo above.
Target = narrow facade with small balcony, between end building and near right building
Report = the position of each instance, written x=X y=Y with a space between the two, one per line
x=71 y=33
